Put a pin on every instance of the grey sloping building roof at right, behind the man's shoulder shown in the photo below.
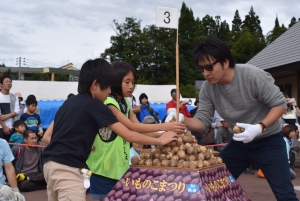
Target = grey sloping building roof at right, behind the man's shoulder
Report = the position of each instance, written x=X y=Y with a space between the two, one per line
x=282 y=51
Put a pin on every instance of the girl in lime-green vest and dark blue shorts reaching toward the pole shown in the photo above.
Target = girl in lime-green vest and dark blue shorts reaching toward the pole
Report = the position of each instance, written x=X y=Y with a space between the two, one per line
x=109 y=158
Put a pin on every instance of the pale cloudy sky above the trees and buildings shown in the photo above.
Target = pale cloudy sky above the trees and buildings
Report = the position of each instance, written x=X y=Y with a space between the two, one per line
x=54 y=33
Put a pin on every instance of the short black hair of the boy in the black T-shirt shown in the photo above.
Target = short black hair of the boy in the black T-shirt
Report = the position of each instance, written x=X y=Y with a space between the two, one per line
x=97 y=69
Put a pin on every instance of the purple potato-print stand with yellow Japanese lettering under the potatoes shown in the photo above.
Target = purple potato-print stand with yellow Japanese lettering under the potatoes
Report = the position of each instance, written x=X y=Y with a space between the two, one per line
x=149 y=184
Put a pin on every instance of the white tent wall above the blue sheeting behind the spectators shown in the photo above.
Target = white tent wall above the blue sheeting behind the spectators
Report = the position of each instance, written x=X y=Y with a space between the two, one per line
x=47 y=90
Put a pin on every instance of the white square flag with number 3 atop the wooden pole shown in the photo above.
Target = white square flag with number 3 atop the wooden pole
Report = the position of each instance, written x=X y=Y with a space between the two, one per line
x=166 y=17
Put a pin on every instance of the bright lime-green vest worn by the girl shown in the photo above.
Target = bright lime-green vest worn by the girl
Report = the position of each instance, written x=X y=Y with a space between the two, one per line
x=110 y=159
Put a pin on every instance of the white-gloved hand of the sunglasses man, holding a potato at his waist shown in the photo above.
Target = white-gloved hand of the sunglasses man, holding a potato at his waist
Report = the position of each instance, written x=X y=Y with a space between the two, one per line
x=251 y=131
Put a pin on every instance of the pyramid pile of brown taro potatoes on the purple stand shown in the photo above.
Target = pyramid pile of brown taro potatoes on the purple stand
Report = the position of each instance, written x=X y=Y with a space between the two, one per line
x=183 y=153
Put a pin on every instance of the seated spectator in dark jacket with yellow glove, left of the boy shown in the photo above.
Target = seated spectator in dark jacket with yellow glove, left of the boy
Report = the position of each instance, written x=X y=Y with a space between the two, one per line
x=29 y=164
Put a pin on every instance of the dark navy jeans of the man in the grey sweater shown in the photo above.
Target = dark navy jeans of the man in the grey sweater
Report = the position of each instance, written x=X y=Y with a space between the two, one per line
x=269 y=153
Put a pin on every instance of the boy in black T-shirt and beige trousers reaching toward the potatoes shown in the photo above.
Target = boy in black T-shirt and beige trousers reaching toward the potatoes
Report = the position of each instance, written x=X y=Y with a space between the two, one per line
x=75 y=126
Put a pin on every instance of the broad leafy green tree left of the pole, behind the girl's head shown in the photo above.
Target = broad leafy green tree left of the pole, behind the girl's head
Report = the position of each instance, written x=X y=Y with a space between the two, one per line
x=151 y=51
